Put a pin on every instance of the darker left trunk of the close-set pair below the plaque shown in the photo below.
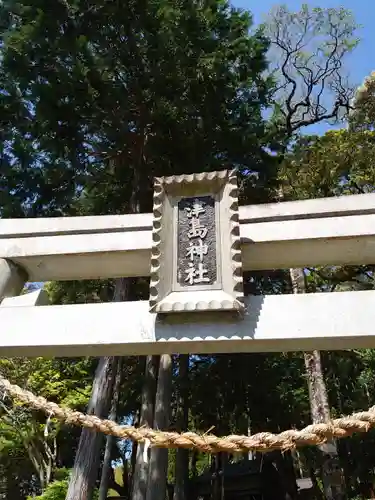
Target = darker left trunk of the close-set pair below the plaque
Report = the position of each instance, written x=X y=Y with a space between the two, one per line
x=140 y=478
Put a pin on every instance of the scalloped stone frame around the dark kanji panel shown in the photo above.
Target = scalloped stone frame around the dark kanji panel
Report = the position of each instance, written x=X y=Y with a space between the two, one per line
x=166 y=296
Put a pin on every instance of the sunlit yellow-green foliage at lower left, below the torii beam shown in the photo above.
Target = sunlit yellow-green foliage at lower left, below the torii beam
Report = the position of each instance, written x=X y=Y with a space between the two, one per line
x=25 y=433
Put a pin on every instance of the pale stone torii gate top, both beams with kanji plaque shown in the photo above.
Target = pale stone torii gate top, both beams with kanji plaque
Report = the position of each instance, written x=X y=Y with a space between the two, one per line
x=194 y=246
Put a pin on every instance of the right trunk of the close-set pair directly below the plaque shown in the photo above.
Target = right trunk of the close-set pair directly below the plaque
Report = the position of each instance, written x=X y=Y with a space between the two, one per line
x=157 y=483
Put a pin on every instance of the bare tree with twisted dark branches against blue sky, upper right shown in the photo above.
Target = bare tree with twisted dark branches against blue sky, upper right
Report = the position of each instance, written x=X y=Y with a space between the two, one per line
x=307 y=52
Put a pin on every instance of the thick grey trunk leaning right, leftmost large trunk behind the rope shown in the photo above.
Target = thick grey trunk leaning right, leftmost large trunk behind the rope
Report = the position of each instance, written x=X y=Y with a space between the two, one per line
x=86 y=464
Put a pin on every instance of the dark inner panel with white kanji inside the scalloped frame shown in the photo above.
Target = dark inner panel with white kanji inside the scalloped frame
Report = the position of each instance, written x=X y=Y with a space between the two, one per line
x=196 y=242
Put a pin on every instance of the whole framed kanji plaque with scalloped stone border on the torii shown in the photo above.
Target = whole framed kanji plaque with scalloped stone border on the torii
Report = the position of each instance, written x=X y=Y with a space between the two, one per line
x=196 y=252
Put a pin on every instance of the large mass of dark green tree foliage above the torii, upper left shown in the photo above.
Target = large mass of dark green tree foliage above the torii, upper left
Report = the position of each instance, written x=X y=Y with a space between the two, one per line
x=151 y=90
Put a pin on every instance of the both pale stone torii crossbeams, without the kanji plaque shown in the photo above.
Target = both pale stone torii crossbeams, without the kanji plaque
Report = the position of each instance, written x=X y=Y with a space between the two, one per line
x=332 y=231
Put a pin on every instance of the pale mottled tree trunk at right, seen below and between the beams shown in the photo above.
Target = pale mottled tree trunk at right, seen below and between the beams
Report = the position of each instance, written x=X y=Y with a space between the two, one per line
x=333 y=480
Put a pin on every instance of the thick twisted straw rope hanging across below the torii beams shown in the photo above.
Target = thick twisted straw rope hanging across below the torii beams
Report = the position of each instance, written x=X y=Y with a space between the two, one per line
x=315 y=434
